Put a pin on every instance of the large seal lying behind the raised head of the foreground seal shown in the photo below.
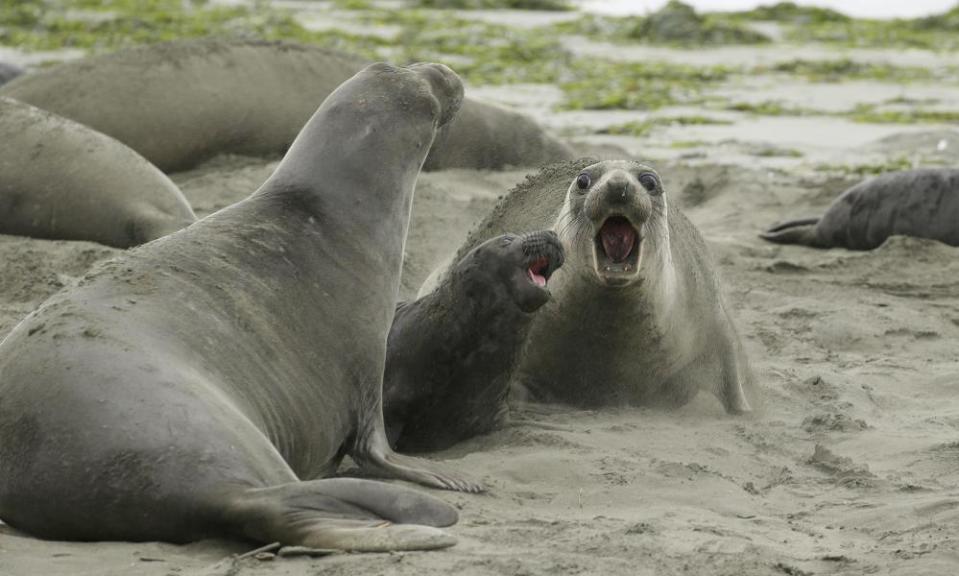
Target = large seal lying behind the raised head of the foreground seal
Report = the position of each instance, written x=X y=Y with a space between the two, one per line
x=182 y=102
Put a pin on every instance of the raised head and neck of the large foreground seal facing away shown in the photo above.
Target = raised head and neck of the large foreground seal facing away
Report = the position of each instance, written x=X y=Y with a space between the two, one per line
x=350 y=197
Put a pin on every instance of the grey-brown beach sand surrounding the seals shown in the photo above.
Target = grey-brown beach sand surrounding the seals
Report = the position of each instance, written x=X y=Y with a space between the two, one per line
x=852 y=468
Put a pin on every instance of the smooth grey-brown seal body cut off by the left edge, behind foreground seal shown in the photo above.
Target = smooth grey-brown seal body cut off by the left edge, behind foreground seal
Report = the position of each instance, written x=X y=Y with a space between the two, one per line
x=61 y=180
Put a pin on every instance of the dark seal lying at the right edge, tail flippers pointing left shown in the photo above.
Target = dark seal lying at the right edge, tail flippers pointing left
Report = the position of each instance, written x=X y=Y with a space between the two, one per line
x=921 y=203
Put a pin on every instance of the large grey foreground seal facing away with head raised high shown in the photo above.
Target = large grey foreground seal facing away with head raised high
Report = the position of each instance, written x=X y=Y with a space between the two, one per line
x=196 y=386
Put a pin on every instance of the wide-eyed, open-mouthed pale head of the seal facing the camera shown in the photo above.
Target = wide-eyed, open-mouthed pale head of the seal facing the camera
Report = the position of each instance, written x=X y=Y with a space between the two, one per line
x=614 y=226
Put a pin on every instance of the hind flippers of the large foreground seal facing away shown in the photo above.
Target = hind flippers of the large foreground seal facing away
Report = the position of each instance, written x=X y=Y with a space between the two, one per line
x=342 y=514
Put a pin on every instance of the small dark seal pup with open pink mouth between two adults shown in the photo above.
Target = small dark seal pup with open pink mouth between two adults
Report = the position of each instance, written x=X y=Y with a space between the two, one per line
x=450 y=354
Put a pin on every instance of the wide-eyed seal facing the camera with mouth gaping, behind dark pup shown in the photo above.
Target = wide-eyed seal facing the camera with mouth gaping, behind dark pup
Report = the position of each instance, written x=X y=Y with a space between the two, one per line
x=637 y=314
